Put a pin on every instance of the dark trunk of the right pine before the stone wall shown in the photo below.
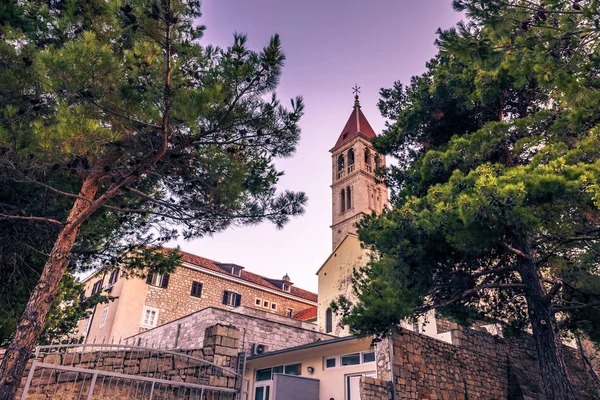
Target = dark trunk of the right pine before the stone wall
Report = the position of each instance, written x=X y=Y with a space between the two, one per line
x=553 y=368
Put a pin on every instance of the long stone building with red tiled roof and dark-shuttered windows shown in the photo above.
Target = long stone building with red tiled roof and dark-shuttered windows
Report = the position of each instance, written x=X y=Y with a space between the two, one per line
x=198 y=283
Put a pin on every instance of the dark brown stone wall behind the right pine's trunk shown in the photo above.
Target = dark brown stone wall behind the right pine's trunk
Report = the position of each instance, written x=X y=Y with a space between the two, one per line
x=476 y=366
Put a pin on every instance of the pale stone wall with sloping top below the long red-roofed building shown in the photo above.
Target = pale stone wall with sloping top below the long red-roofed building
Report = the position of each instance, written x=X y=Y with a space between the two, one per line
x=275 y=332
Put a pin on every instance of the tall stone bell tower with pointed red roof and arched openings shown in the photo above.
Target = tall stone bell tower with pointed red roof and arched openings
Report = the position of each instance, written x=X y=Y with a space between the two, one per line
x=353 y=162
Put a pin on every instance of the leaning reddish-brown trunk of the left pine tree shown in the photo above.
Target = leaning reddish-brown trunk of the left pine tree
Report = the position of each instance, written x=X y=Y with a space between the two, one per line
x=31 y=324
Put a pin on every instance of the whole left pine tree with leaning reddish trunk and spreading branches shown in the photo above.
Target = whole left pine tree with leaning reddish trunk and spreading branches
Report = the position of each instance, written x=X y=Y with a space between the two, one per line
x=153 y=127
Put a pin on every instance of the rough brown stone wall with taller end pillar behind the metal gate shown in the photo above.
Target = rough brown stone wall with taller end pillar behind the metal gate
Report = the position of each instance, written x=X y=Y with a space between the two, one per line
x=220 y=349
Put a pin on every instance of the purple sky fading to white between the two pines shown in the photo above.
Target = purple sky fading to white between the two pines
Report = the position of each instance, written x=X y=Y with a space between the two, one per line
x=330 y=45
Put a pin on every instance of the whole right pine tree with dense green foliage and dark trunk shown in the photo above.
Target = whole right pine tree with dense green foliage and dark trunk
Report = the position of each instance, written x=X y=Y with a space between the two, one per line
x=496 y=195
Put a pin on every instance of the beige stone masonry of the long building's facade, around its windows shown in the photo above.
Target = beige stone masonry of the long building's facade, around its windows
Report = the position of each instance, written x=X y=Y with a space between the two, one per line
x=175 y=301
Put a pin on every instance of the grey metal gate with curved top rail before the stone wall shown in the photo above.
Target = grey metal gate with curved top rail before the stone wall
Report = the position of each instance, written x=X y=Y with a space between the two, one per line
x=114 y=371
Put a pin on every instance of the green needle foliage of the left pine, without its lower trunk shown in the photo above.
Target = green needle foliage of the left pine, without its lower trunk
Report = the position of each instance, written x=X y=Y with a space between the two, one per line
x=181 y=138
